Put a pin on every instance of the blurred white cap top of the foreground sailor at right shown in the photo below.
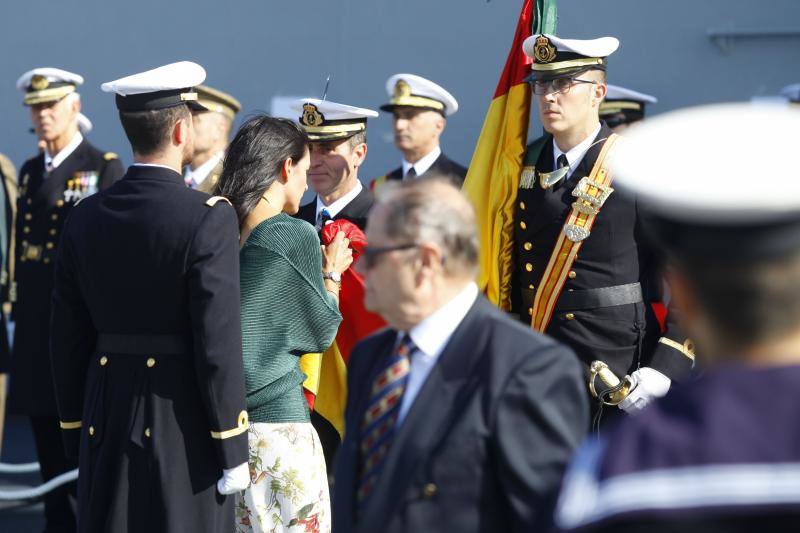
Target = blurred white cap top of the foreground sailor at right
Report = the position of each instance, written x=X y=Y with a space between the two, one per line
x=715 y=183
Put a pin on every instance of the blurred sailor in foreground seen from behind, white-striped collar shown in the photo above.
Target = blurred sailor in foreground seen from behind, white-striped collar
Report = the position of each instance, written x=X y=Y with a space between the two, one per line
x=719 y=453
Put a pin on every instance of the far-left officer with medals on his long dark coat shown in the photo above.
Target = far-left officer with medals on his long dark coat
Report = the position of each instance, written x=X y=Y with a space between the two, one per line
x=50 y=184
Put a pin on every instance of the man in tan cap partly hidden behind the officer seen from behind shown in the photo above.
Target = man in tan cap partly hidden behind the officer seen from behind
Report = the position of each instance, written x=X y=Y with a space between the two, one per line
x=212 y=129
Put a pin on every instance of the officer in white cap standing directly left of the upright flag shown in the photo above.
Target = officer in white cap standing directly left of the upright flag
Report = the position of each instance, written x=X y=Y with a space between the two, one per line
x=420 y=108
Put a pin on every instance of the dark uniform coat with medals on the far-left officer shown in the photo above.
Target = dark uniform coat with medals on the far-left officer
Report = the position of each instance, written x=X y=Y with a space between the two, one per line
x=43 y=204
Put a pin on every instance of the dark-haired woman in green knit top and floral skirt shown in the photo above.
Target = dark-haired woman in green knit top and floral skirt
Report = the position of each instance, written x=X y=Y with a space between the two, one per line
x=288 y=309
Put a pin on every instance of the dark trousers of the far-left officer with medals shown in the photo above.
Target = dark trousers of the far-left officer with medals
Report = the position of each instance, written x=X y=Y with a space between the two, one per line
x=60 y=503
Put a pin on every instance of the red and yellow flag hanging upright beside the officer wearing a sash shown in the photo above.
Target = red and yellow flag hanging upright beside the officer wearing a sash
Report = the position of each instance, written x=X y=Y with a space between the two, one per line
x=493 y=177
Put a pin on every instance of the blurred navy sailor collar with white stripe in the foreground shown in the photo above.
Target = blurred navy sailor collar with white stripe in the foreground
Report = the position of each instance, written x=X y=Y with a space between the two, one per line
x=721 y=453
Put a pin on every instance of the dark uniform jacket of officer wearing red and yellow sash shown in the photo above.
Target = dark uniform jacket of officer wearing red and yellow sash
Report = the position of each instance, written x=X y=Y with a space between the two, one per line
x=616 y=253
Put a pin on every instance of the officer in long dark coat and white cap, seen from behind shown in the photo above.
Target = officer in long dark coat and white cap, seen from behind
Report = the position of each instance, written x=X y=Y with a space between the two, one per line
x=146 y=338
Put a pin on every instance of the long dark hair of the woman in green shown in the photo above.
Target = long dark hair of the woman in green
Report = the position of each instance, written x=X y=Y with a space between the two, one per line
x=255 y=157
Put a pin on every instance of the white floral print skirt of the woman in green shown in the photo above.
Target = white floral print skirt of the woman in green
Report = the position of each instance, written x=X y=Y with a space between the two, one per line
x=288 y=482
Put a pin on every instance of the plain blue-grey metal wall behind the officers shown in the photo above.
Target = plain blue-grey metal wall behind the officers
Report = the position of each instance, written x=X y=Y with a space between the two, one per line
x=257 y=49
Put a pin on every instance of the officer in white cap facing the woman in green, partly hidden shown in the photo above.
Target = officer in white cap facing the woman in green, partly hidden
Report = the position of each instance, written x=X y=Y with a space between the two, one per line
x=338 y=135
